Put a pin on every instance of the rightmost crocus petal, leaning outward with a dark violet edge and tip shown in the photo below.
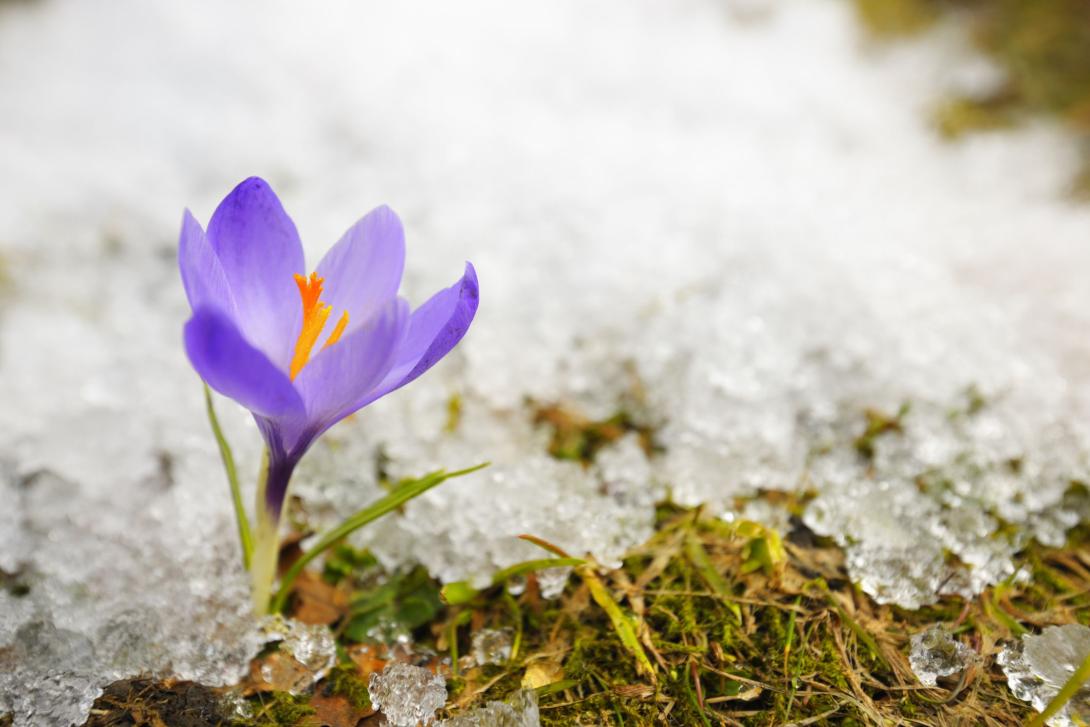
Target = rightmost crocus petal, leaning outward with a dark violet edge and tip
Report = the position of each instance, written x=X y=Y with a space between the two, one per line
x=434 y=330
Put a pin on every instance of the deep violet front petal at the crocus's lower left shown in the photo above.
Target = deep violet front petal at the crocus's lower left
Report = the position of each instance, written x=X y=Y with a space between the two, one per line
x=229 y=365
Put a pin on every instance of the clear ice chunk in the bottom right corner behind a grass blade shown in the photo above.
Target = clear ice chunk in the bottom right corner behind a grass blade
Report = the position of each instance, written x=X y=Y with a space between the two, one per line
x=1038 y=665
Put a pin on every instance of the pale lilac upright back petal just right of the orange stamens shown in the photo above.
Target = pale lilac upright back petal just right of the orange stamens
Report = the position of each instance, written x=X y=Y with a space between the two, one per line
x=364 y=271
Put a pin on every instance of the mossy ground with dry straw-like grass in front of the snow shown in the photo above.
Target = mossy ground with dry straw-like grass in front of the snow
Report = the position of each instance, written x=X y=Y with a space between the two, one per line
x=792 y=644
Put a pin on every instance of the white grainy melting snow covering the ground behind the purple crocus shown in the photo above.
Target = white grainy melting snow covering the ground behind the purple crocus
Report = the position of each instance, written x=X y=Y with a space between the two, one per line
x=746 y=240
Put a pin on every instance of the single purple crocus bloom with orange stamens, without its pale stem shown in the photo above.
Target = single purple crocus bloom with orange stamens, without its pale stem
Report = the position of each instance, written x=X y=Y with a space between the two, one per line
x=304 y=353
